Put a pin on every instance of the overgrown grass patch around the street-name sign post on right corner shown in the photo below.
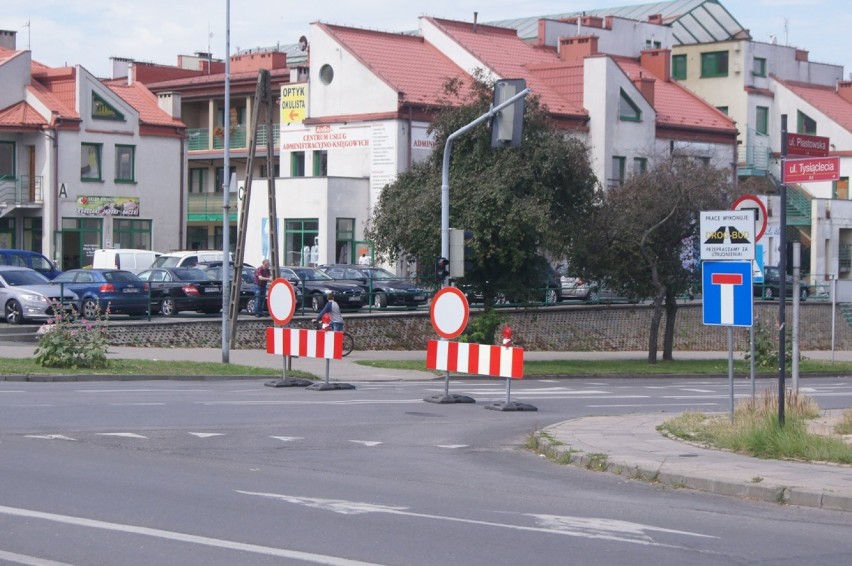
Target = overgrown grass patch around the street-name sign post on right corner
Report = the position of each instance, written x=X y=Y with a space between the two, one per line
x=755 y=431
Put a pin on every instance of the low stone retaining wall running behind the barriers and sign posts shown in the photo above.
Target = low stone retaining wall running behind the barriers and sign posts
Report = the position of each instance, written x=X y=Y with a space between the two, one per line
x=586 y=328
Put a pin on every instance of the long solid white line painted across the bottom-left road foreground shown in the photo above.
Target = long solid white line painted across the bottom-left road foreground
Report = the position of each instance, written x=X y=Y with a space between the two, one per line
x=182 y=537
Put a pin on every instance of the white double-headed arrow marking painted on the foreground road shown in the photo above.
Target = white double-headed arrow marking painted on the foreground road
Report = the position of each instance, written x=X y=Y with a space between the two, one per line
x=591 y=528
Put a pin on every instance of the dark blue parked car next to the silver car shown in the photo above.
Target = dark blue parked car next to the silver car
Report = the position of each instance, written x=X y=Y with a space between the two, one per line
x=105 y=290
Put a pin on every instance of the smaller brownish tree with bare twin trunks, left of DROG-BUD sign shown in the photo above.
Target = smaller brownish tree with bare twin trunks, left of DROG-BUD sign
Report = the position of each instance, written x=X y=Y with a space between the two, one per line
x=641 y=239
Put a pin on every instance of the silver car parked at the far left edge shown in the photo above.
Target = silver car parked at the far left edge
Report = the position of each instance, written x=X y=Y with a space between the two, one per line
x=26 y=294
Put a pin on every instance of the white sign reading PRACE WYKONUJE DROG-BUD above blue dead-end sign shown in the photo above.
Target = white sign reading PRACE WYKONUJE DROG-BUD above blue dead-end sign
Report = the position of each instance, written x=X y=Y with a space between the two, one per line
x=727 y=235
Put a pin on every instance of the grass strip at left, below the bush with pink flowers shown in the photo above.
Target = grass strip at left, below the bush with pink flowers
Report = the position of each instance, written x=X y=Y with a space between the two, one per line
x=28 y=367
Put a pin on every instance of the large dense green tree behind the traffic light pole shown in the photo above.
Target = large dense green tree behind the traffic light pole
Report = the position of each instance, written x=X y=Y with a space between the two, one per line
x=518 y=202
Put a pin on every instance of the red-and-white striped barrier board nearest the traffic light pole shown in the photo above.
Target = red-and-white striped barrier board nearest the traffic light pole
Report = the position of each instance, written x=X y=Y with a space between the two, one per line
x=480 y=359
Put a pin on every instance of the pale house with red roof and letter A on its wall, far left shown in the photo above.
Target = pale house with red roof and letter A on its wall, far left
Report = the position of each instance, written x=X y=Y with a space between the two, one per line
x=85 y=164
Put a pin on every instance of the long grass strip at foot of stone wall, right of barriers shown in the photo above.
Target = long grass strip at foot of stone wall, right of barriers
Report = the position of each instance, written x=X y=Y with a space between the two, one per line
x=591 y=368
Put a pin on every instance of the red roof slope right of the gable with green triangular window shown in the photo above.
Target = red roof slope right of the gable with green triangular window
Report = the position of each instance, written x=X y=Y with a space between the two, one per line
x=675 y=105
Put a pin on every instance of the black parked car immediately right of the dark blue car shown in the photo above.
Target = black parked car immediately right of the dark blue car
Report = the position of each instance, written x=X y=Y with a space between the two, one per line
x=177 y=289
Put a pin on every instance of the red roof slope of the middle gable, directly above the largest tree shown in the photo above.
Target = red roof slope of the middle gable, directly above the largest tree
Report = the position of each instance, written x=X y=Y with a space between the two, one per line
x=505 y=54
